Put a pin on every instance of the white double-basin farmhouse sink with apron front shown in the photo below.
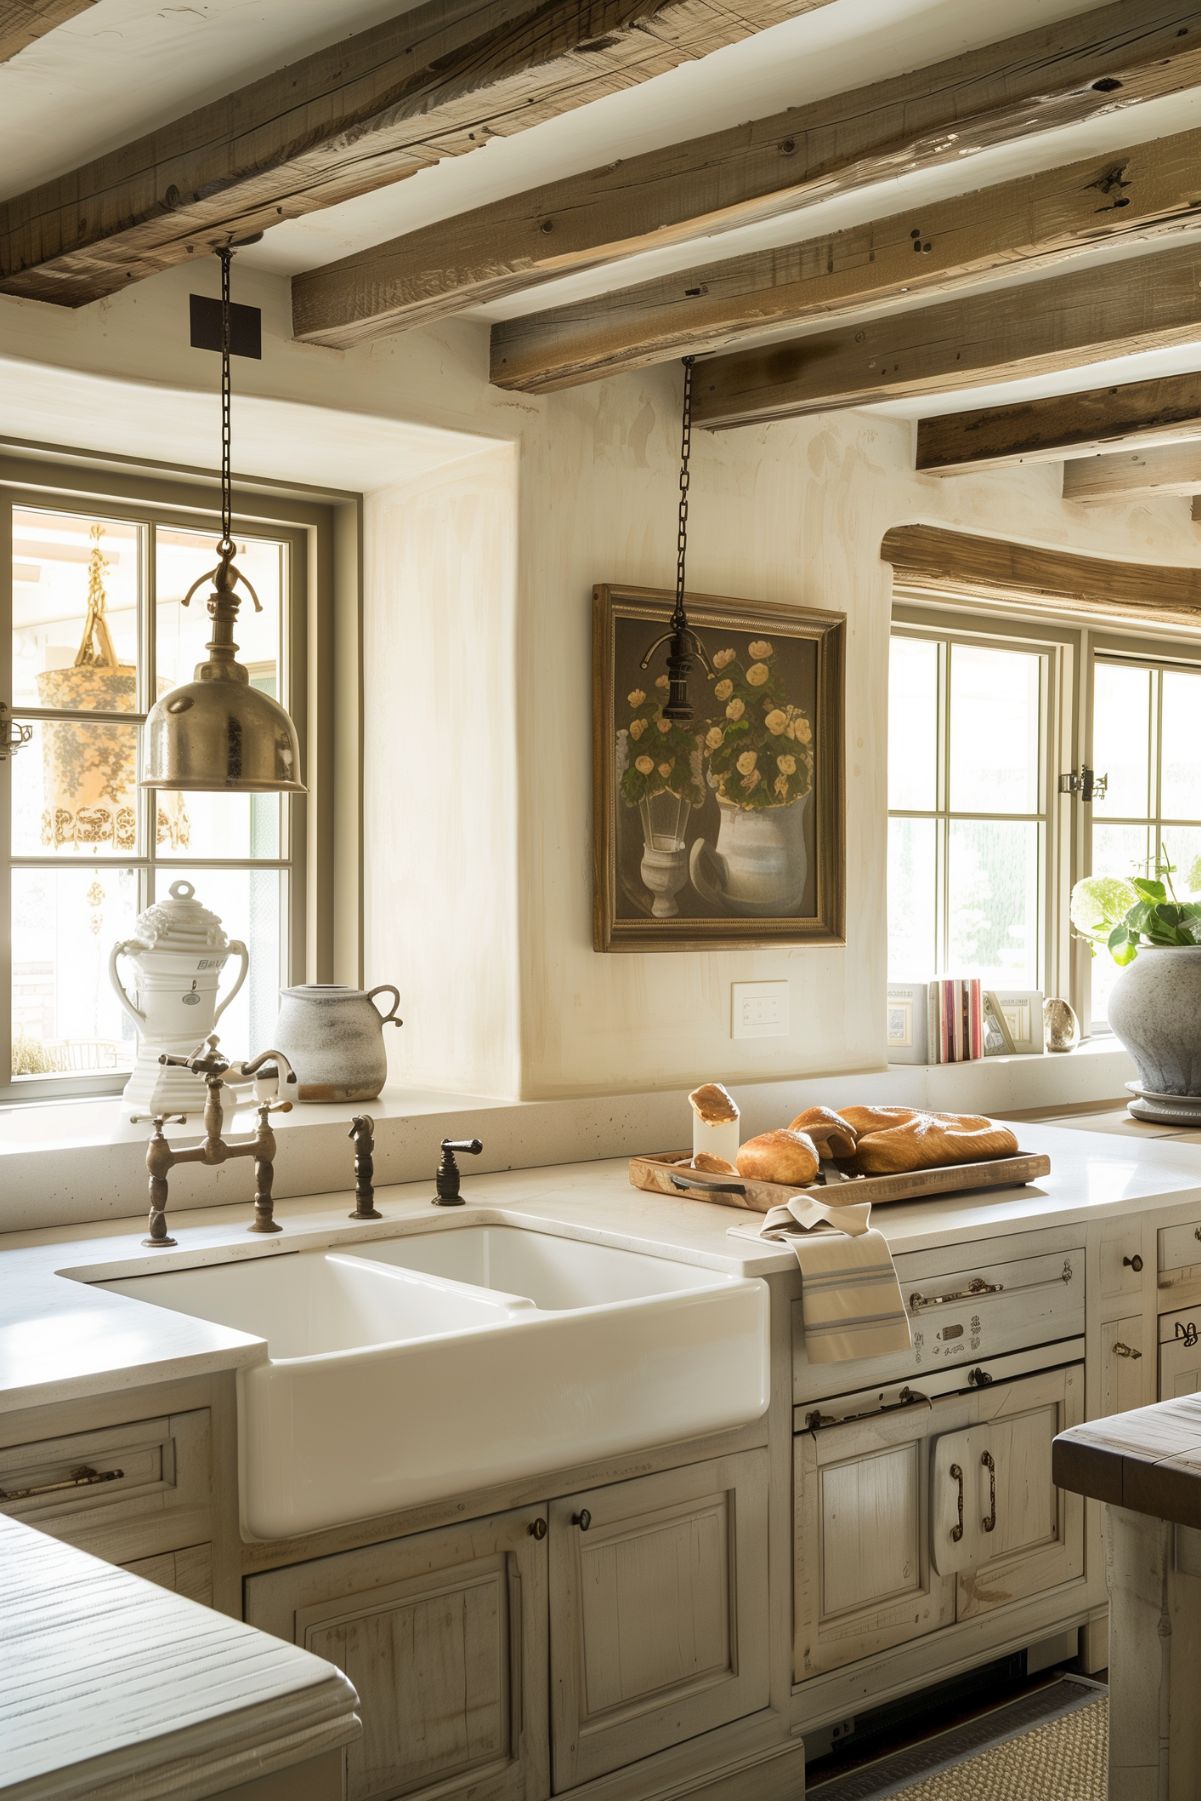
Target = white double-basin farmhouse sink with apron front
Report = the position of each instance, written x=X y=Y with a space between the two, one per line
x=444 y=1362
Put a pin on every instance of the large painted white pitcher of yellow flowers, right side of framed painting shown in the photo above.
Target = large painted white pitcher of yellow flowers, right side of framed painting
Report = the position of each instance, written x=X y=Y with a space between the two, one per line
x=759 y=752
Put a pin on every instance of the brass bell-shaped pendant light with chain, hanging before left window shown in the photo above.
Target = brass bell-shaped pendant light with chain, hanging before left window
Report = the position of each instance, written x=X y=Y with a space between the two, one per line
x=217 y=732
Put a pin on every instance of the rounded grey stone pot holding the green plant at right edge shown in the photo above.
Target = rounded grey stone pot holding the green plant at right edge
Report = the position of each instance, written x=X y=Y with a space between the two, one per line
x=1157 y=1013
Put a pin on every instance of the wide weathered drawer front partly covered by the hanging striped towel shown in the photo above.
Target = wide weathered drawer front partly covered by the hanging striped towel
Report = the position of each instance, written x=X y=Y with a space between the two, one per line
x=970 y=1314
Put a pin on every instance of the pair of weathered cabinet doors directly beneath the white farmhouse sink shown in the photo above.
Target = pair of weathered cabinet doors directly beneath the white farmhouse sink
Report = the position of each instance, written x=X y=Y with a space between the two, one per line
x=640 y=1607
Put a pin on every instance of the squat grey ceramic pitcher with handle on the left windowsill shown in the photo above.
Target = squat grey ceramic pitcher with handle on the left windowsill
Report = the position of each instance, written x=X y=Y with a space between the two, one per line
x=334 y=1040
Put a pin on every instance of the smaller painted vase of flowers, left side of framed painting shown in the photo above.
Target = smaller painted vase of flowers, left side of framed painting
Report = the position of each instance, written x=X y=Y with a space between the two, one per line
x=660 y=765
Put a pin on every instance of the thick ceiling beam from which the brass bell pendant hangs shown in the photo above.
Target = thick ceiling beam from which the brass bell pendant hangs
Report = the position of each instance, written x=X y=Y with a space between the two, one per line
x=437 y=82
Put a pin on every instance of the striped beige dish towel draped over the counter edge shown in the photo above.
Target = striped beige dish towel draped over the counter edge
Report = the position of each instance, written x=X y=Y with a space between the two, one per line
x=851 y=1296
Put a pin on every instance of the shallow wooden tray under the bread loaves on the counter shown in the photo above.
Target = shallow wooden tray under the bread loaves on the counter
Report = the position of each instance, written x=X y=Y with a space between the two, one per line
x=667 y=1173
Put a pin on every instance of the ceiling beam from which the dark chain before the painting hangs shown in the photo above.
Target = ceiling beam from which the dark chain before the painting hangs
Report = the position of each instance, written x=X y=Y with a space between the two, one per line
x=1137 y=194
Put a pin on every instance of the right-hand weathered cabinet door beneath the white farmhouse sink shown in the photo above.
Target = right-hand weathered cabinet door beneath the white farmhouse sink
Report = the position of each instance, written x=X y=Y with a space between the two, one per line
x=658 y=1613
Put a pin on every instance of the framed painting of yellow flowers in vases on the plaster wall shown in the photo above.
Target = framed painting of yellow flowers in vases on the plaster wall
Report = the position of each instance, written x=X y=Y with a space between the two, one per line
x=730 y=829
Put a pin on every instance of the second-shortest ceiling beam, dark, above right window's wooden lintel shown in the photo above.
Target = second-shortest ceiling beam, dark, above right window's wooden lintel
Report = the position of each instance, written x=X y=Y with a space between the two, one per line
x=1045 y=431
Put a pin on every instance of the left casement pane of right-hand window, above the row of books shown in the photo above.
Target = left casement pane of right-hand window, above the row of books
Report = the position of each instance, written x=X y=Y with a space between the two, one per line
x=970 y=806
